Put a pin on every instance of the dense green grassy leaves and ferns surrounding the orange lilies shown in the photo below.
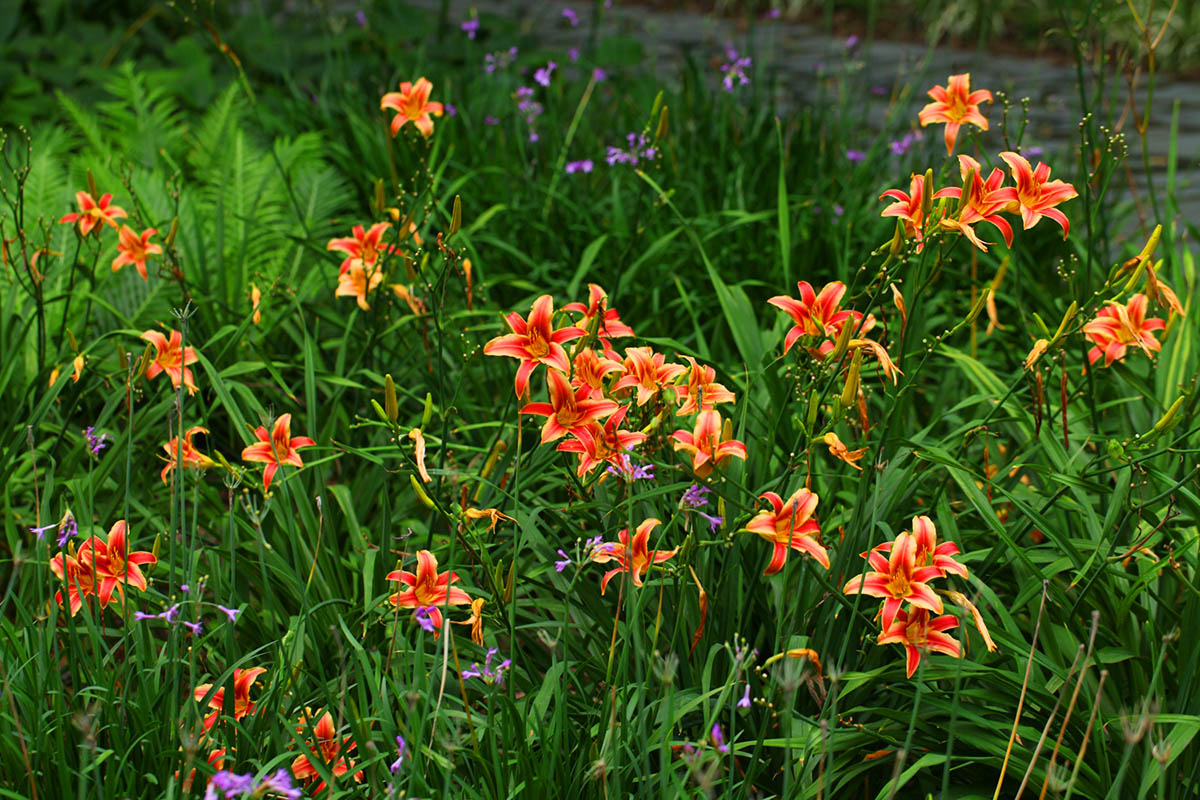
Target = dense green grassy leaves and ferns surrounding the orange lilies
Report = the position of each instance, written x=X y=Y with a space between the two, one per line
x=250 y=143
